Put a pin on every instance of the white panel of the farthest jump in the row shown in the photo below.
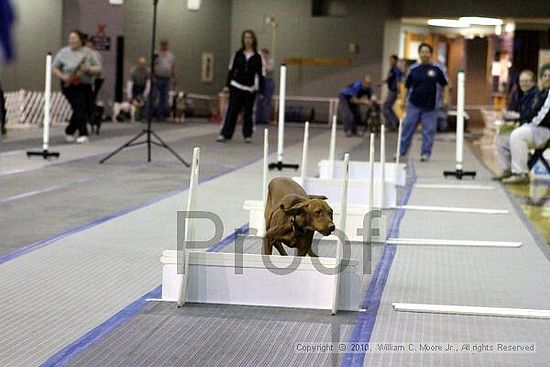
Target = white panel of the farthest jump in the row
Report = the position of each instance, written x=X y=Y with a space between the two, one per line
x=359 y=170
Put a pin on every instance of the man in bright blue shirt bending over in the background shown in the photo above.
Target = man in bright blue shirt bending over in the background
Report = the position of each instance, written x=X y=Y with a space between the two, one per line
x=351 y=98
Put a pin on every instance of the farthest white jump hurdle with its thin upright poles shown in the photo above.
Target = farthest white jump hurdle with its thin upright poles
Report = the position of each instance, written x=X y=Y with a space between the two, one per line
x=359 y=170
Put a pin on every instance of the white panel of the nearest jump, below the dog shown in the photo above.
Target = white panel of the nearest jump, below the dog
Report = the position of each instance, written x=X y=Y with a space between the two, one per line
x=214 y=277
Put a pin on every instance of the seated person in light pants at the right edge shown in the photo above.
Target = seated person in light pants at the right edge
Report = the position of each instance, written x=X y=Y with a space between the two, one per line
x=534 y=132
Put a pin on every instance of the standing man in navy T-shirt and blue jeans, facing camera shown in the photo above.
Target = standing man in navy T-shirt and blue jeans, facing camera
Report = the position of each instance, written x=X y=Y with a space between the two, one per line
x=421 y=87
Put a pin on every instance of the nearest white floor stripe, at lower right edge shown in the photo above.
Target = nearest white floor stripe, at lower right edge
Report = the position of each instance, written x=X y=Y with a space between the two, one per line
x=473 y=310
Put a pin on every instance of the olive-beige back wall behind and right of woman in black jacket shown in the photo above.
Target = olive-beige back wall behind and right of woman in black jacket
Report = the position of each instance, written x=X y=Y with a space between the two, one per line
x=301 y=35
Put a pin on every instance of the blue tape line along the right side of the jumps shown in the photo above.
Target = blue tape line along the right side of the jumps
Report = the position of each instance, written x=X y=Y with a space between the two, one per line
x=364 y=324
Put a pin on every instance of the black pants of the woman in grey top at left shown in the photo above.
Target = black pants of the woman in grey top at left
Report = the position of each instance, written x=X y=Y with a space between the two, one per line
x=80 y=99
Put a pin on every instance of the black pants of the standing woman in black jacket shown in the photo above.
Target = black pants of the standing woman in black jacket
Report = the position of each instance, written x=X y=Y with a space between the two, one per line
x=239 y=99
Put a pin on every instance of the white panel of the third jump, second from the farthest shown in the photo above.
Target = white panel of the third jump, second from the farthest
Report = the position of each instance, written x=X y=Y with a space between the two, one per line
x=358 y=191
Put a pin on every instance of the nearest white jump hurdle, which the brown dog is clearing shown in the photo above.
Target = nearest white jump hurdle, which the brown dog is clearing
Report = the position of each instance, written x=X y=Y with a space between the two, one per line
x=253 y=279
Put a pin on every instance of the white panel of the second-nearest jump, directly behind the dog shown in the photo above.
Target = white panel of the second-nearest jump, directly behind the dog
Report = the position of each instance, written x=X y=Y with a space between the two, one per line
x=354 y=222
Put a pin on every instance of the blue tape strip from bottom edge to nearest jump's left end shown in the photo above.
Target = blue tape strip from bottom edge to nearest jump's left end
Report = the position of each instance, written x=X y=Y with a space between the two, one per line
x=70 y=351
